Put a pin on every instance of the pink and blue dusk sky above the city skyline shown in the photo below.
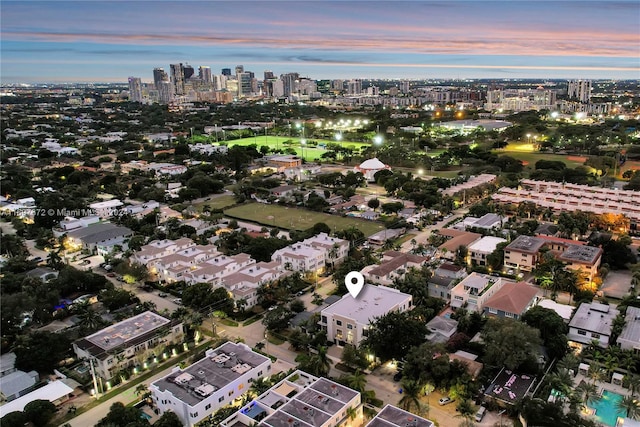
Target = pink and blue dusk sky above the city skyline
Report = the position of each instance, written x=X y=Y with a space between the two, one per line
x=55 y=41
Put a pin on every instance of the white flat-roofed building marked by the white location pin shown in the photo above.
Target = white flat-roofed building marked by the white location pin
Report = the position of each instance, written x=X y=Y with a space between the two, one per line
x=347 y=321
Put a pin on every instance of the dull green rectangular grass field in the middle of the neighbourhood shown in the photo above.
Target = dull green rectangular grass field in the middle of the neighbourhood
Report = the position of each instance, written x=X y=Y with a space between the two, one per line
x=298 y=219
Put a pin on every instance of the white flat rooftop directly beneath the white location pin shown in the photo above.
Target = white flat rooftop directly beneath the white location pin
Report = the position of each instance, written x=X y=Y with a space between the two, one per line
x=372 y=302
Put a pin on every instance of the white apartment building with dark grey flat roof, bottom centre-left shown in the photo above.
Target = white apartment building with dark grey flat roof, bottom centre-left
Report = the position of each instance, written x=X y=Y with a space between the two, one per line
x=220 y=378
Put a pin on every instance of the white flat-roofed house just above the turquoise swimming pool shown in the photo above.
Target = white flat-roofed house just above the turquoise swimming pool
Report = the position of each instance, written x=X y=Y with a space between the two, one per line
x=592 y=322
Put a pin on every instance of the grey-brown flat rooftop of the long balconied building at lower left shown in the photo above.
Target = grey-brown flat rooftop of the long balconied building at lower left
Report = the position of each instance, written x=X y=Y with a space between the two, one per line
x=127 y=330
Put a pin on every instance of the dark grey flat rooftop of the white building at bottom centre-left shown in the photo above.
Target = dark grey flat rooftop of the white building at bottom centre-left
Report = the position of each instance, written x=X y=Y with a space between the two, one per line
x=220 y=367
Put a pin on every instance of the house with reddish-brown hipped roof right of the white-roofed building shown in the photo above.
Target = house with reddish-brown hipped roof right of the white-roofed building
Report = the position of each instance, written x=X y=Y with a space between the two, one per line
x=512 y=300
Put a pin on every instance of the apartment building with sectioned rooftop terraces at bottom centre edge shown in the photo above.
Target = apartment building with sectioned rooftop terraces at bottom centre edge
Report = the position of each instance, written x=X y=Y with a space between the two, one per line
x=301 y=400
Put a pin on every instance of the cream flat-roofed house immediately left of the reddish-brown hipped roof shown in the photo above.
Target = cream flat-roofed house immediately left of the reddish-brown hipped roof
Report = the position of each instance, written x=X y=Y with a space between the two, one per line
x=474 y=290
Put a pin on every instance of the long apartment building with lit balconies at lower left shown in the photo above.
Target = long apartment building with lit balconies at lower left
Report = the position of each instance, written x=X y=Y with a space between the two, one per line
x=126 y=343
